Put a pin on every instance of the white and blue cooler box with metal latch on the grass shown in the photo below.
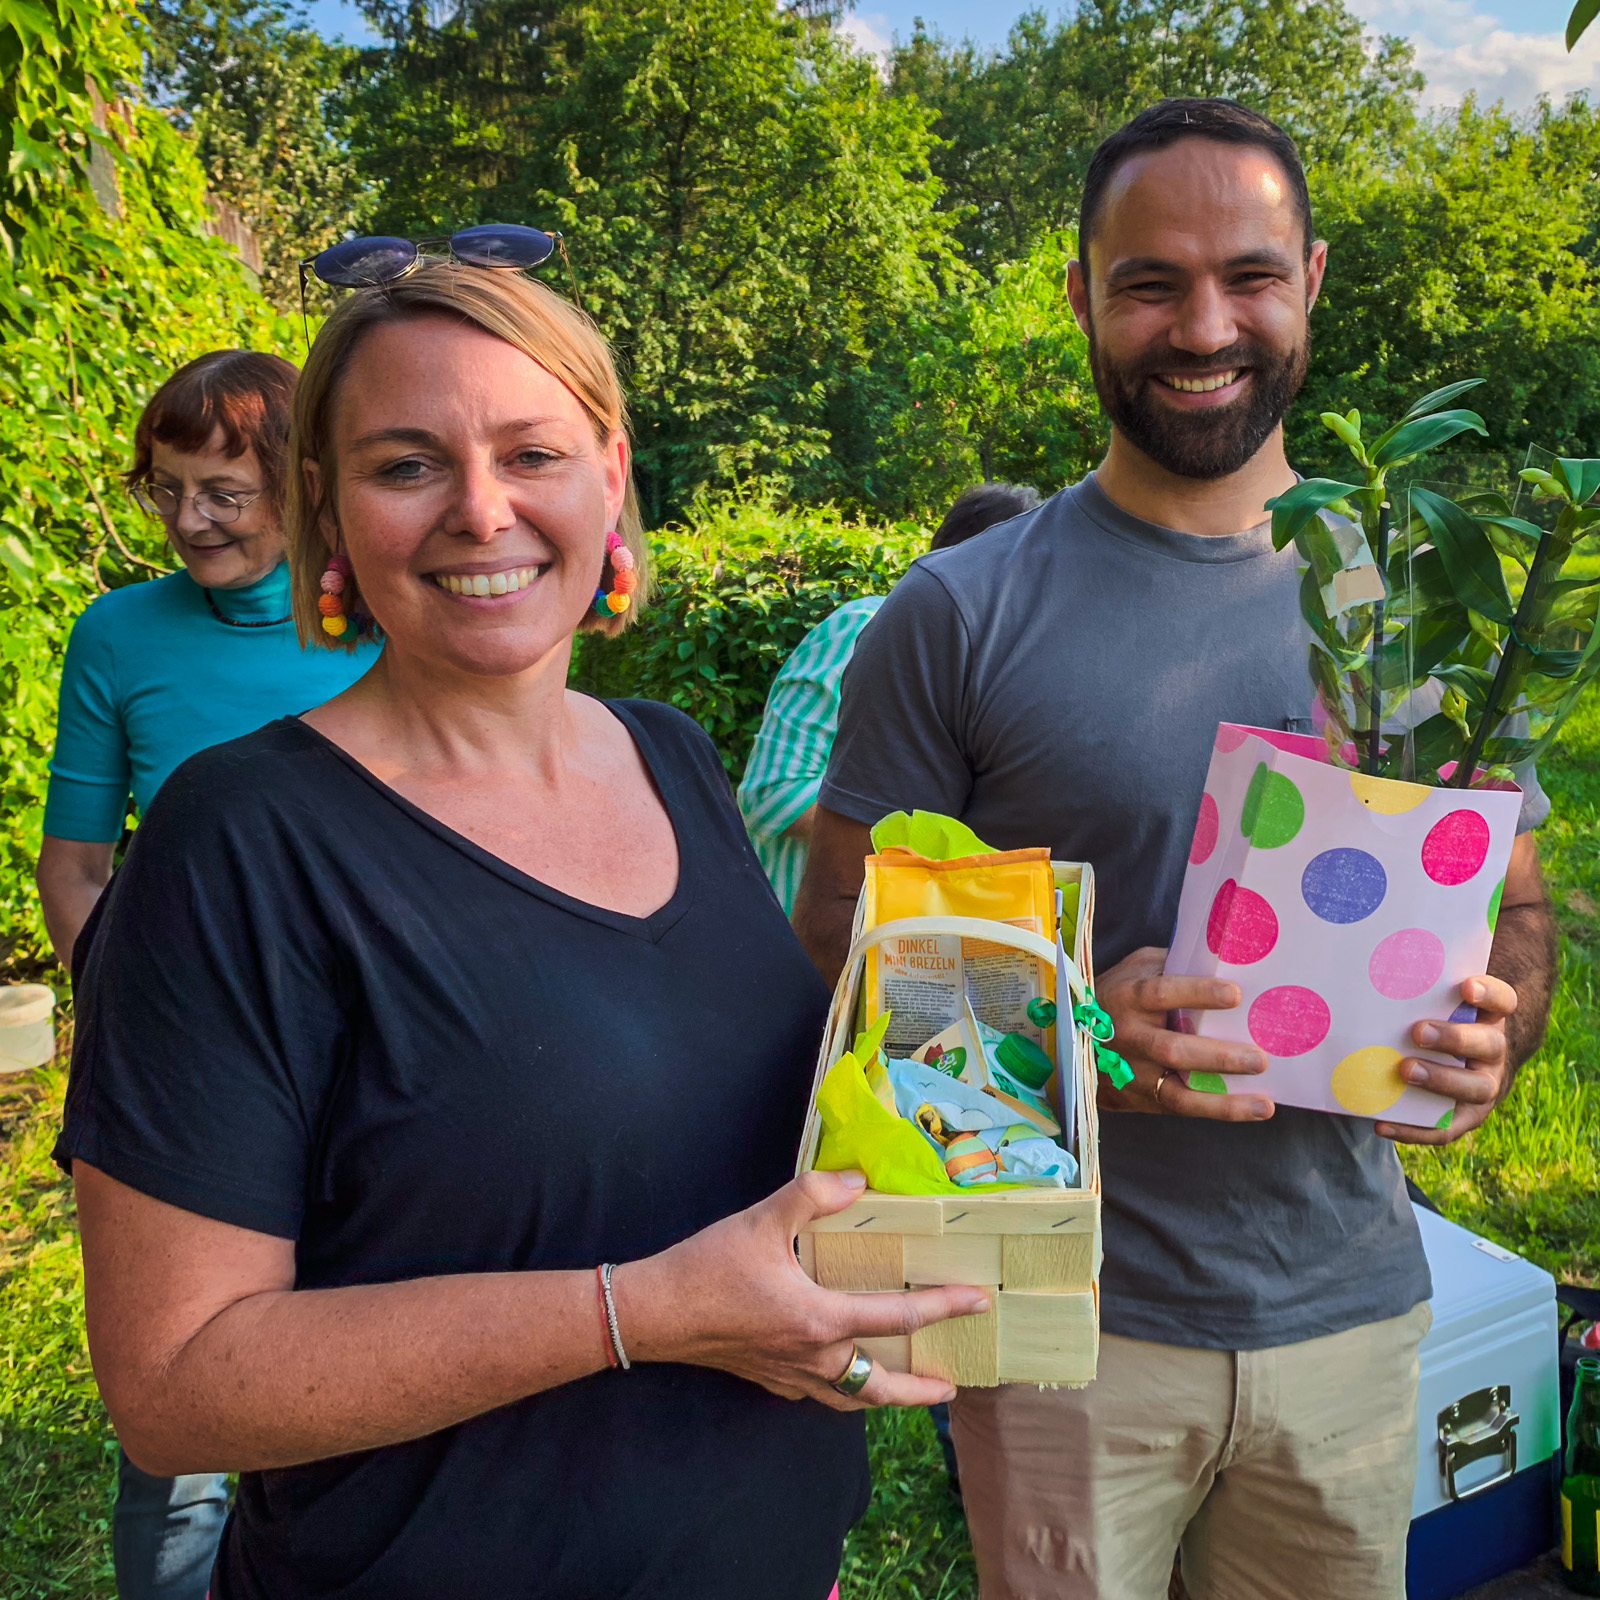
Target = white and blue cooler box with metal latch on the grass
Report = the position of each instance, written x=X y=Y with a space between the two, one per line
x=1489 y=1417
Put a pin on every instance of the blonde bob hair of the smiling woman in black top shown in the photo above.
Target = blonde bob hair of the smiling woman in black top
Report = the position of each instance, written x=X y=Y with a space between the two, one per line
x=513 y=308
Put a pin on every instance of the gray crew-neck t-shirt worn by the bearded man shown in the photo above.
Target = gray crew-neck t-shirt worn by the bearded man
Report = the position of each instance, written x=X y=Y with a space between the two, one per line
x=1058 y=682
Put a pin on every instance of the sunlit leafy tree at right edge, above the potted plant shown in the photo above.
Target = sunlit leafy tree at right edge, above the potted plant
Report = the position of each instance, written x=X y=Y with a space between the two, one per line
x=1473 y=254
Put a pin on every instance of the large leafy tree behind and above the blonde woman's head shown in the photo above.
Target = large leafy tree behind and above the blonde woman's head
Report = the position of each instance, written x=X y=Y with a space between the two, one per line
x=746 y=206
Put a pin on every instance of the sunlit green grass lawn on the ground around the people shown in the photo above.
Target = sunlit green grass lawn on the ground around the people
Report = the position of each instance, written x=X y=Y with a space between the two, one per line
x=1529 y=1178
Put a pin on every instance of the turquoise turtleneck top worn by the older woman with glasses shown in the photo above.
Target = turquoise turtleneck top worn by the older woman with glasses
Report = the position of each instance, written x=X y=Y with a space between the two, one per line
x=153 y=678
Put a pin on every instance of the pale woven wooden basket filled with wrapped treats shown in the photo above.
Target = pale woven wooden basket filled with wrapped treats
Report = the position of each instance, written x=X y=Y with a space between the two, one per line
x=958 y=1073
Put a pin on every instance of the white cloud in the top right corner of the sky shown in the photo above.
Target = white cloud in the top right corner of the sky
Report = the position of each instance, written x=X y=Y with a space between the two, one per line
x=1462 y=50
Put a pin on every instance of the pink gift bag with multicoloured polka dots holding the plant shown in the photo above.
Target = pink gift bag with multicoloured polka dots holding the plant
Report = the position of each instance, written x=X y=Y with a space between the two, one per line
x=1346 y=908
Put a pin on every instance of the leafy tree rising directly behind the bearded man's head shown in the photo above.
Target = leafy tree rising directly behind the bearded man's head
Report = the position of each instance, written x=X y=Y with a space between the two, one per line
x=1022 y=124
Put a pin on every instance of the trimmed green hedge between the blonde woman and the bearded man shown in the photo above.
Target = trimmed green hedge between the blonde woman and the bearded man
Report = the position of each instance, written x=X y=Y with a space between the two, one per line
x=737 y=591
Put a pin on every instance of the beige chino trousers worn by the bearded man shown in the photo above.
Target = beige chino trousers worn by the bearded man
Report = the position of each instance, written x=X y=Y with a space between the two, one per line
x=1279 y=1474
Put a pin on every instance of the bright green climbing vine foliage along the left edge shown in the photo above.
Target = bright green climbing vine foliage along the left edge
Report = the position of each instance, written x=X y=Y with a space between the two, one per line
x=108 y=281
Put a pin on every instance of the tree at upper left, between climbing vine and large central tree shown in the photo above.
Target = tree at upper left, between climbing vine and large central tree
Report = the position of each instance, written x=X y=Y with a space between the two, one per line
x=254 y=82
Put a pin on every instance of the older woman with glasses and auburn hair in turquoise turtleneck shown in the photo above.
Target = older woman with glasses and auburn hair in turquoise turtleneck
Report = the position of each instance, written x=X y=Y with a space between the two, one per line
x=158 y=671
